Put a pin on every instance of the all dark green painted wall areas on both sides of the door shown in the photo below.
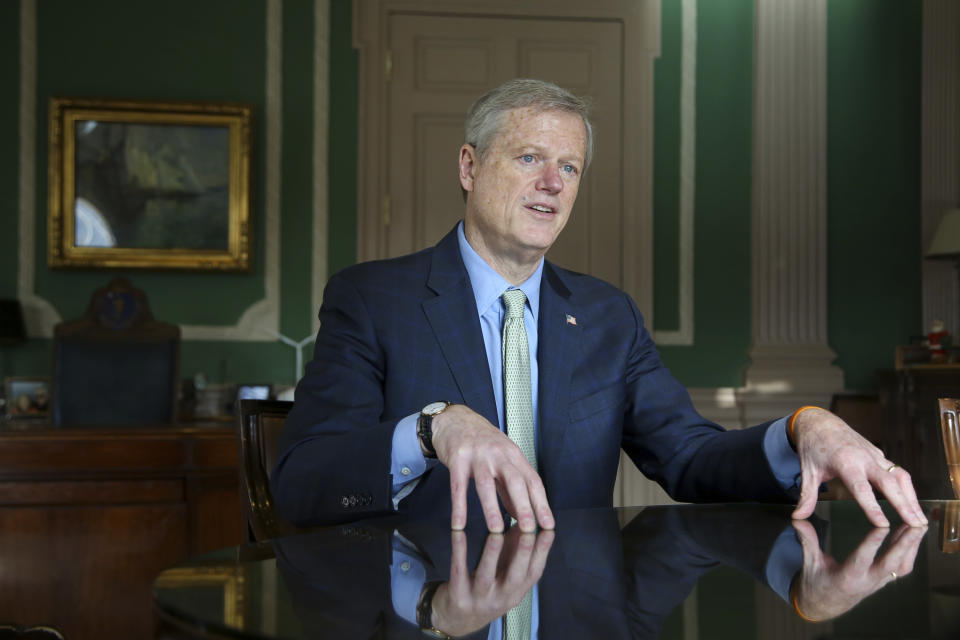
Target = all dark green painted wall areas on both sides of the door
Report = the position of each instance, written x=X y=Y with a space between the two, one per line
x=196 y=53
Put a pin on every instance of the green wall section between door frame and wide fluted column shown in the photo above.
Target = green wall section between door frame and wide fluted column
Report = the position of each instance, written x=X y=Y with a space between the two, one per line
x=724 y=99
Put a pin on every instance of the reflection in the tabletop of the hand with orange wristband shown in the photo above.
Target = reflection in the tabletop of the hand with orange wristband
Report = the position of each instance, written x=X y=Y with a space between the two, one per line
x=825 y=589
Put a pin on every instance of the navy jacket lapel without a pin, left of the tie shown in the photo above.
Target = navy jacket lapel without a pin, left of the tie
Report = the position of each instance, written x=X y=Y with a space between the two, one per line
x=452 y=315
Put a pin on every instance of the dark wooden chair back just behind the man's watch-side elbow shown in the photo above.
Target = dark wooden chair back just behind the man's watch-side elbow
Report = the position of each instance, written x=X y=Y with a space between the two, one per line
x=261 y=422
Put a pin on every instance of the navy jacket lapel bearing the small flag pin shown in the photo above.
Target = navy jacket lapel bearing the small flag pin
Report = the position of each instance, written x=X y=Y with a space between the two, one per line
x=558 y=350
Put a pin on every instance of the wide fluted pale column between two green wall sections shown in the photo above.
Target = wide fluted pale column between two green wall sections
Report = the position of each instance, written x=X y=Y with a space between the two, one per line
x=791 y=362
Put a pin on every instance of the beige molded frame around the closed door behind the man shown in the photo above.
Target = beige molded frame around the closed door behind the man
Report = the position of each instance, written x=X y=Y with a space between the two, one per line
x=640 y=20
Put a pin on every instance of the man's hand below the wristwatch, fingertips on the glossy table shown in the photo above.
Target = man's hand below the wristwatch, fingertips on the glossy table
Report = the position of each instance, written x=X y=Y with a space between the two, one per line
x=471 y=447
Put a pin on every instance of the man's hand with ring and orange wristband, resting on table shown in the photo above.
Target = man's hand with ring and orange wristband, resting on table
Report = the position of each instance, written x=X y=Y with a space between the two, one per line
x=828 y=449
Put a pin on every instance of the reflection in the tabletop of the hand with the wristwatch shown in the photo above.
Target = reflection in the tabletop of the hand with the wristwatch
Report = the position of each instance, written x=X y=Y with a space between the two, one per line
x=510 y=565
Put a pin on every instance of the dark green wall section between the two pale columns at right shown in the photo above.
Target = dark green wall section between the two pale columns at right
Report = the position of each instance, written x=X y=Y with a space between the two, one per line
x=873 y=182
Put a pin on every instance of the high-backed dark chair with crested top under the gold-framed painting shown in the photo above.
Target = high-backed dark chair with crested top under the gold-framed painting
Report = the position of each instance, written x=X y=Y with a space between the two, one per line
x=116 y=365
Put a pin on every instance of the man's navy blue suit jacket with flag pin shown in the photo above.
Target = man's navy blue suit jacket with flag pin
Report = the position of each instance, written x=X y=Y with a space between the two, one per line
x=398 y=334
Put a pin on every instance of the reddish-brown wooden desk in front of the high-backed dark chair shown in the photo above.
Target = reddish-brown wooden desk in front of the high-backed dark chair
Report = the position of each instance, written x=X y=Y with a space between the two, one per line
x=88 y=517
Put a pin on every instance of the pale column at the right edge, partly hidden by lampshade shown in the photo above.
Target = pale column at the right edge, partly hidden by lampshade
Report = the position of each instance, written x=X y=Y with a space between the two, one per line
x=940 y=174
